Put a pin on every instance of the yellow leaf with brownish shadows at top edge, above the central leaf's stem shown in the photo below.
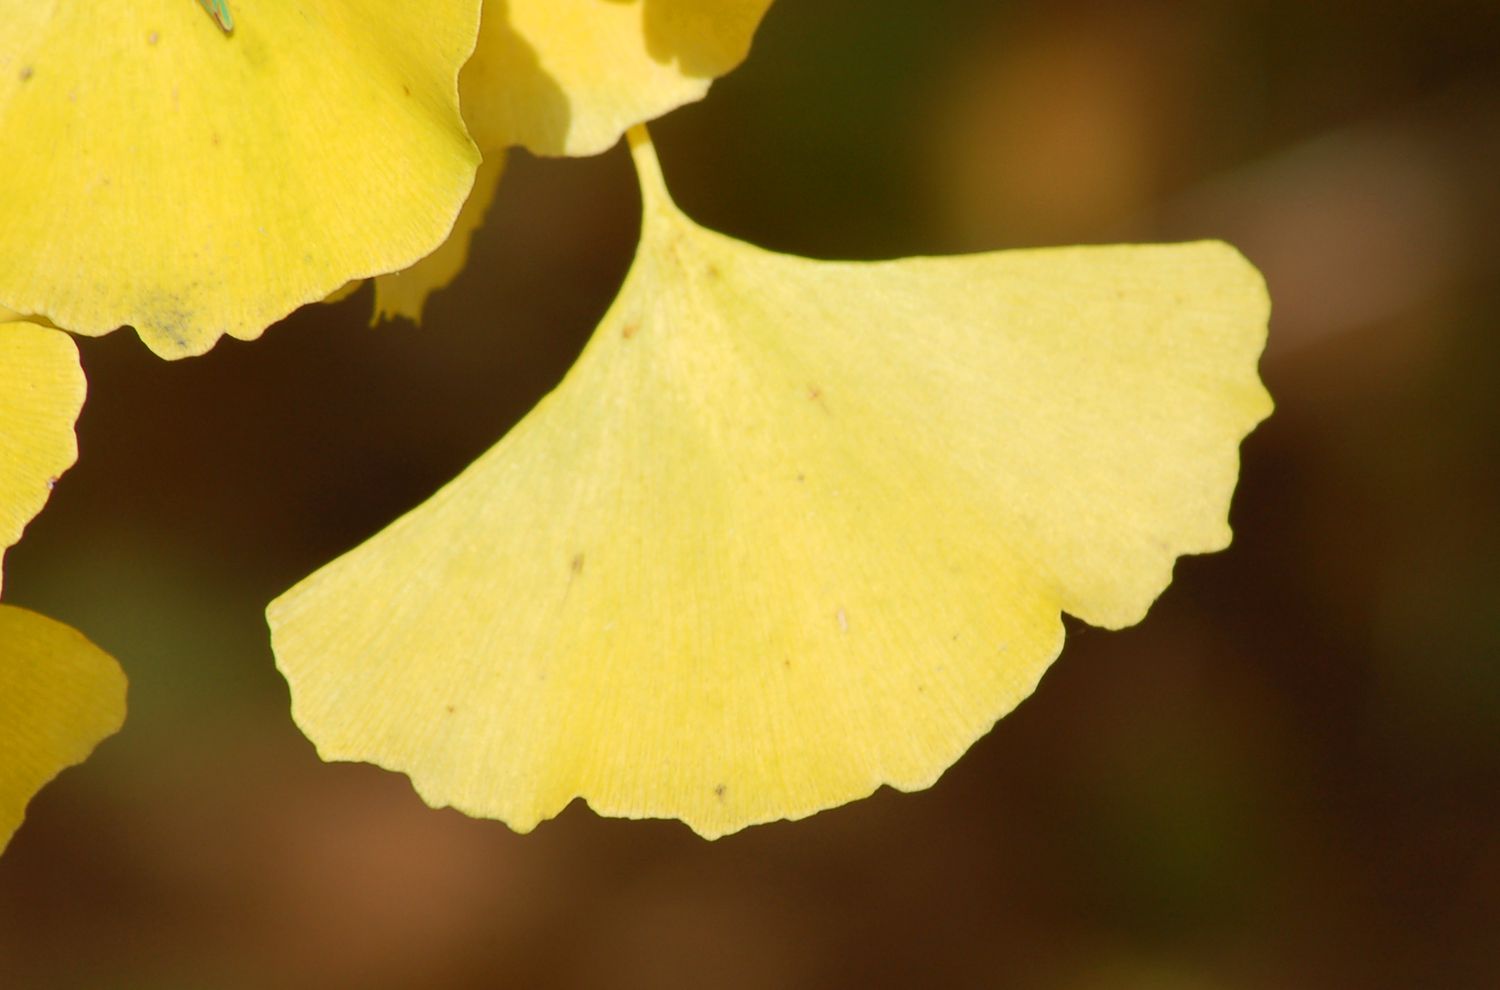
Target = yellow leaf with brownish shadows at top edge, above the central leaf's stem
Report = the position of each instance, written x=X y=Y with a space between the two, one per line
x=569 y=77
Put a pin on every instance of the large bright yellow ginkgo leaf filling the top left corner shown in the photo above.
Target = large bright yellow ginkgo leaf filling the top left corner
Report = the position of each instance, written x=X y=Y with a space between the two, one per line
x=194 y=184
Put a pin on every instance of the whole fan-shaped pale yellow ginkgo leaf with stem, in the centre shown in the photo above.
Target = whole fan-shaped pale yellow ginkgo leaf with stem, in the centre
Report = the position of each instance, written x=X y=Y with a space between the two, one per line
x=790 y=529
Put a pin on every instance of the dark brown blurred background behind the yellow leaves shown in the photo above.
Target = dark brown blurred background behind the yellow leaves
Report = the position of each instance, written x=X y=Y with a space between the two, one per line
x=1289 y=776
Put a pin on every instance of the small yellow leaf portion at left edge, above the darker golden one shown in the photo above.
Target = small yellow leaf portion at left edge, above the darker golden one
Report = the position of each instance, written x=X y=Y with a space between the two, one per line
x=41 y=395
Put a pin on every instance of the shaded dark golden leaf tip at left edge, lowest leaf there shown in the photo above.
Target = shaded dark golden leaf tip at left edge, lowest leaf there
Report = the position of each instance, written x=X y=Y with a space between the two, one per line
x=59 y=697
